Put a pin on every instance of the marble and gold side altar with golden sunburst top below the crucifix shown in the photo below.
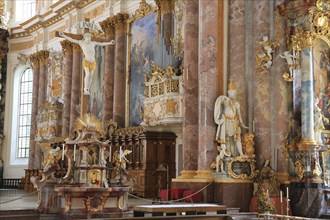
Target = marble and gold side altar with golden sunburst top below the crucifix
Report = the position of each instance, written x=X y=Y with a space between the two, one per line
x=75 y=177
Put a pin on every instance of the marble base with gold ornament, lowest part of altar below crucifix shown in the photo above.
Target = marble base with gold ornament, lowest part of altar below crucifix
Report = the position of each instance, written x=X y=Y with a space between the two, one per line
x=95 y=202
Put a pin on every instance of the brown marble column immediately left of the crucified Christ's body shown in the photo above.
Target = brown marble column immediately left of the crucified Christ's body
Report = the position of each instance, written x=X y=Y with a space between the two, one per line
x=76 y=85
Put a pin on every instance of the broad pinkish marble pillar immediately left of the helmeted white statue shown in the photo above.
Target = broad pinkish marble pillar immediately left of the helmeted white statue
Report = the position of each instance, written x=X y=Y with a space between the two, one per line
x=207 y=85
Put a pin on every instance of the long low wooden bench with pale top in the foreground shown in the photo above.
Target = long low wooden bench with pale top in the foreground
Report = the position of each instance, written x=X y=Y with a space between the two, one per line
x=178 y=209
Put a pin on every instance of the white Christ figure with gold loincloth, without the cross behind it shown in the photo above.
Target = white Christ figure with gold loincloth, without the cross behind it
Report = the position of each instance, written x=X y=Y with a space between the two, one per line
x=88 y=48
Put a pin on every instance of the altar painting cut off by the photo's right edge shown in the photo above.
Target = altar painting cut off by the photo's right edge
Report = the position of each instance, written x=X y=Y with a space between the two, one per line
x=321 y=54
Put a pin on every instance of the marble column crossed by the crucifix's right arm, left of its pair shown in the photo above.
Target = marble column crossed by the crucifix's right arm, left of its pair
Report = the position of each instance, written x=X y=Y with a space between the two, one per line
x=109 y=70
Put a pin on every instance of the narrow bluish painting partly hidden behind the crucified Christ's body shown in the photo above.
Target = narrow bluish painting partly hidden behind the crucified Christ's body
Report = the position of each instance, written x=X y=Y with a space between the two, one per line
x=95 y=98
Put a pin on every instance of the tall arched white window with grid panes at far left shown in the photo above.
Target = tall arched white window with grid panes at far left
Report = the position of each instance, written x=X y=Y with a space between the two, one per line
x=24 y=114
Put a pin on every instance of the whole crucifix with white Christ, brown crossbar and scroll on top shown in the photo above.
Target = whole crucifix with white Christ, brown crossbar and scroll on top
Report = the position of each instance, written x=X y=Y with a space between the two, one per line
x=87 y=44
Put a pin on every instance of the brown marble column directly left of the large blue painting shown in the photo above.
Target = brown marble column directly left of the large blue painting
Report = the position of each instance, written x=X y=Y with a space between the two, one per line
x=120 y=69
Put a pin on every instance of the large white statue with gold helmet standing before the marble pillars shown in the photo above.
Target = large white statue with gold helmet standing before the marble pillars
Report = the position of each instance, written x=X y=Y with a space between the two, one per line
x=227 y=116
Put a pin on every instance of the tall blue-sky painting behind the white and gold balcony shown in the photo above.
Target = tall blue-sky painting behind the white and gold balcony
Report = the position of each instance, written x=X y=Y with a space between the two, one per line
x=142 y=50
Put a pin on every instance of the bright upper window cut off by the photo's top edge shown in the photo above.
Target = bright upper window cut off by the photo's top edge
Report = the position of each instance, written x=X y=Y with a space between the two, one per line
x=25 y=10
